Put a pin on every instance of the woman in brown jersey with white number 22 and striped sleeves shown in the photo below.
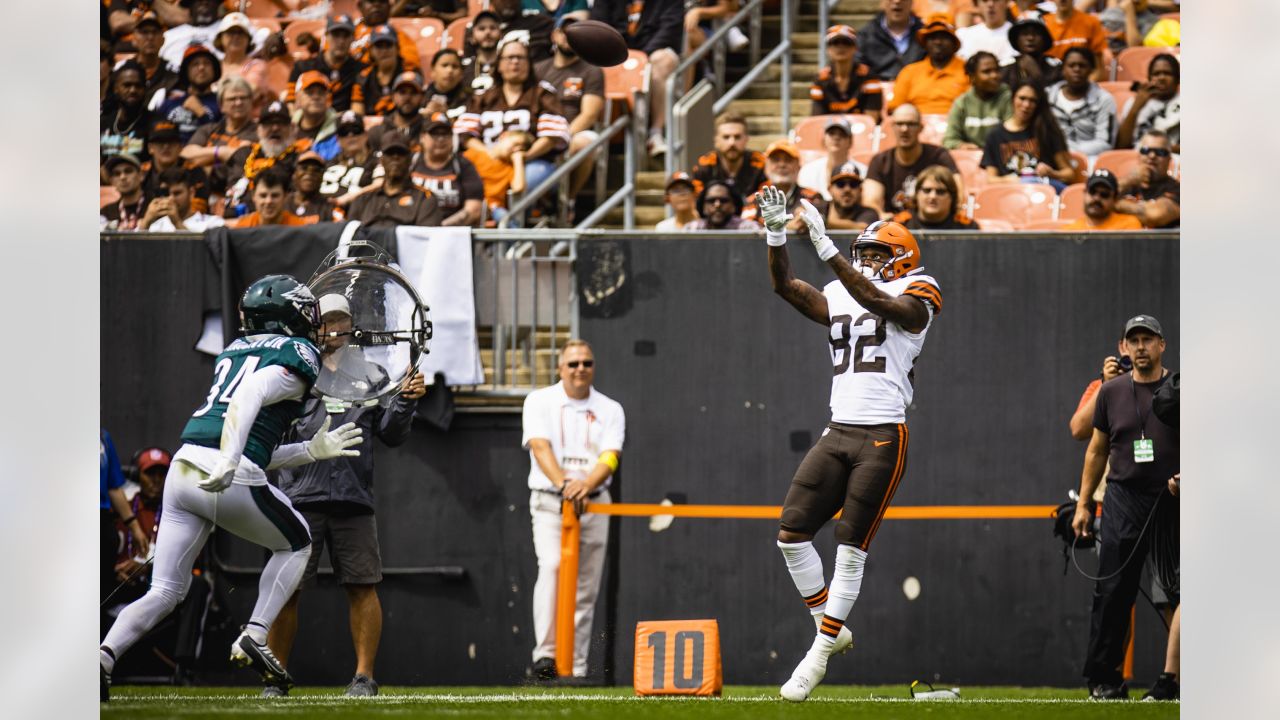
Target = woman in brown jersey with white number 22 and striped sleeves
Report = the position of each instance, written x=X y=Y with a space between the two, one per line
x=518 y=102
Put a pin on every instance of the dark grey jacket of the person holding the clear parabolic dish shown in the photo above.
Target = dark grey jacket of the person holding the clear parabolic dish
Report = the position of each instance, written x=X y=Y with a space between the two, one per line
x=345 y=480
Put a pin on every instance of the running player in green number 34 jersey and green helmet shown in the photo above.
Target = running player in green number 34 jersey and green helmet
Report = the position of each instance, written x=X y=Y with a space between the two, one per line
x=218 y=477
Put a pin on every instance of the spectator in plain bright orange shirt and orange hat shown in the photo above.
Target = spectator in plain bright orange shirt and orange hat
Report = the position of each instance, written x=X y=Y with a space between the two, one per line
x=934 y=84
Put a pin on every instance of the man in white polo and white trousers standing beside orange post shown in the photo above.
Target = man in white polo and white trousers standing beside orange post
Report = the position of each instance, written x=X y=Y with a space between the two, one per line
x=574 y=435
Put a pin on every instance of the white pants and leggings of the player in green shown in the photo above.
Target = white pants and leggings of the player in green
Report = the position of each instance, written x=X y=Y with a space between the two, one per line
x=260 y=514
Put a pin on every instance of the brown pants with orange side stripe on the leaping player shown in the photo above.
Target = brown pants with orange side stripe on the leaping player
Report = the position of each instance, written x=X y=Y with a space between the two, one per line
x=854 y=471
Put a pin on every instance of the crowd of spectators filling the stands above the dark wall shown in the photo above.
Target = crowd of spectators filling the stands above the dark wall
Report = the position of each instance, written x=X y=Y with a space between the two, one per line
x=1014 y=99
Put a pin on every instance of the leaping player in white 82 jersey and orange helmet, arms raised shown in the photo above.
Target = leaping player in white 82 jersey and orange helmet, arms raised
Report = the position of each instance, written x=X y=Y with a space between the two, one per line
x=879 y=312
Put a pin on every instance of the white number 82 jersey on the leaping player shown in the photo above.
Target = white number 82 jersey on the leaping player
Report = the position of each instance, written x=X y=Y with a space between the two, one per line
x=871 y=357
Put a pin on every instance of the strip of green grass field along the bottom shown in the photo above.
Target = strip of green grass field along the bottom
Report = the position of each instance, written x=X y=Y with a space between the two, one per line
x=739 y=703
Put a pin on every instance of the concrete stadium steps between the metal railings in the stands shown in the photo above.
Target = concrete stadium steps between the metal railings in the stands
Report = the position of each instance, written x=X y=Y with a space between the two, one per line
x=761 y=103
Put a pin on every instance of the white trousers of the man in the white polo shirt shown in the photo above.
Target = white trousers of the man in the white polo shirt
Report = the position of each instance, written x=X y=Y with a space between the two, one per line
x=546 y=512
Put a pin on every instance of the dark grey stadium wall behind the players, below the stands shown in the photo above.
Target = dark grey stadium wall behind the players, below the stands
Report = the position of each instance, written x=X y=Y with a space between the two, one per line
x=725 y=389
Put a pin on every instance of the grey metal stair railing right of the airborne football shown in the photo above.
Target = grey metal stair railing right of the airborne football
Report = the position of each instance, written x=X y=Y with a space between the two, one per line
x=783 y=52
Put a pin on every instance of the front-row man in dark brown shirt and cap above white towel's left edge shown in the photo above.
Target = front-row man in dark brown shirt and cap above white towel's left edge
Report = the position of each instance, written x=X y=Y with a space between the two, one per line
x=397 y=202
